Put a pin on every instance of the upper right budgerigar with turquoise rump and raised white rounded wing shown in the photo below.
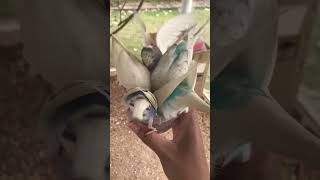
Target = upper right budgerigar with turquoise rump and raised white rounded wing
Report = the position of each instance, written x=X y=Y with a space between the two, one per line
x=177 y=58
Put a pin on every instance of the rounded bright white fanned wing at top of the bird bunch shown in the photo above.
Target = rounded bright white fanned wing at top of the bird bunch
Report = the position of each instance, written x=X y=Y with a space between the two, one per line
x=172 y=30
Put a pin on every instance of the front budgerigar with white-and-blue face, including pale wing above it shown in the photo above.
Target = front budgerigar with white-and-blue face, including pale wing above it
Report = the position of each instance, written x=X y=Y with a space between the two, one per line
x=135 y=77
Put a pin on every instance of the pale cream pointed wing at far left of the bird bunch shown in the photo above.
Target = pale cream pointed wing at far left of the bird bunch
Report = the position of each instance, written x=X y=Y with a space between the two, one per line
x=131 y=72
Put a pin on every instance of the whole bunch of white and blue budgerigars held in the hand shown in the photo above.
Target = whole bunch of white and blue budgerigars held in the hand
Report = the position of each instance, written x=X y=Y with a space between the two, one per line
x=161 y=84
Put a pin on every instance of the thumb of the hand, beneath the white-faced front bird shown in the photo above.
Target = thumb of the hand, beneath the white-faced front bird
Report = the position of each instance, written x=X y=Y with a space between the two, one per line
x=154 y=140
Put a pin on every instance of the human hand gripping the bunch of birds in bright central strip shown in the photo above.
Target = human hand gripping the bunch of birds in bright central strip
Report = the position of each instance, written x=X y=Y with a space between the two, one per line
x=183 y=157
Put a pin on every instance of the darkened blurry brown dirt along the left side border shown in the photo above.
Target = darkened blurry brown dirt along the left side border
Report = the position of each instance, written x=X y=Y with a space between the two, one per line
x=21 y=97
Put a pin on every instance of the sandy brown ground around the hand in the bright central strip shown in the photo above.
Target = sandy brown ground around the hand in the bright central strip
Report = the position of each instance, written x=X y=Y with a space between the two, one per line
x=129 y=157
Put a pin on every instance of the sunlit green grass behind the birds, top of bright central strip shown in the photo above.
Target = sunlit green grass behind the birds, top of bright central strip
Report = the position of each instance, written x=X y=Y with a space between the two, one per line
x=131 y=35
